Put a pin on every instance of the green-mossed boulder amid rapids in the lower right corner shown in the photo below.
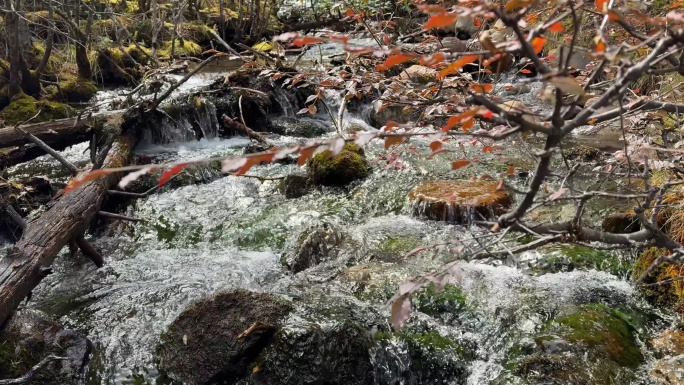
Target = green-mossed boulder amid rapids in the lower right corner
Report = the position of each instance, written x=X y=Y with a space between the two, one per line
x=594 y=345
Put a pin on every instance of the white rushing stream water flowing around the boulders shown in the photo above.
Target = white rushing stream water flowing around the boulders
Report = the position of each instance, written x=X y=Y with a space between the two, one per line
x=232 y=232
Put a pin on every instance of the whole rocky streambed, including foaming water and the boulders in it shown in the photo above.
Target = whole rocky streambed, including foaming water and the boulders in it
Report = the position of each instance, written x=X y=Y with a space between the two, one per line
x=283 y=277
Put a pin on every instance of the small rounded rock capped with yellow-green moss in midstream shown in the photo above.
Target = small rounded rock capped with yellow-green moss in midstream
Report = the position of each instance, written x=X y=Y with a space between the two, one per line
x=348 y=166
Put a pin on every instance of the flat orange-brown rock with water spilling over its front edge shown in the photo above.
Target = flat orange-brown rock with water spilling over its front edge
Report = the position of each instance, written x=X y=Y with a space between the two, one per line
x=459 y=201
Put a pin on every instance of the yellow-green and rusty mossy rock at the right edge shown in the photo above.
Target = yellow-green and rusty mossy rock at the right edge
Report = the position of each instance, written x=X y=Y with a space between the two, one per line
x=663 y=295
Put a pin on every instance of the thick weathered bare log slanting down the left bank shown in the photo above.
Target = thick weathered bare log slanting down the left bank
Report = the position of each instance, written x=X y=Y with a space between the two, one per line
x=28 y=262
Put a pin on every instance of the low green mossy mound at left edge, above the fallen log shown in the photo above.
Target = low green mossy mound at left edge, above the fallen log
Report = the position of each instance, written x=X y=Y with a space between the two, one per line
x=25 y=107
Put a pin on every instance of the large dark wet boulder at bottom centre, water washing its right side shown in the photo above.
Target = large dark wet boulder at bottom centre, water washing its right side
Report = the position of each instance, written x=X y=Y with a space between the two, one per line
x=242 y=337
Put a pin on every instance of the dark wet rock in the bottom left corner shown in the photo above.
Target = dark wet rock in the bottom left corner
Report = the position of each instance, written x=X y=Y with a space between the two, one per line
x=30 y=336
